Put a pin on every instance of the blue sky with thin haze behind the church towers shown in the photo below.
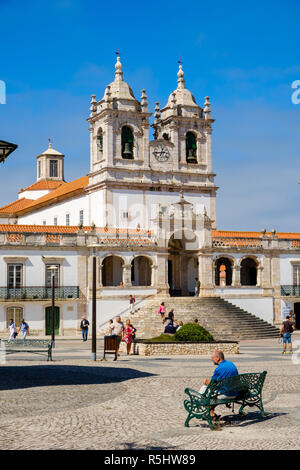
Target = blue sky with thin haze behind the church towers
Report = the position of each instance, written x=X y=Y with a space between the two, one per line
x=244 y=55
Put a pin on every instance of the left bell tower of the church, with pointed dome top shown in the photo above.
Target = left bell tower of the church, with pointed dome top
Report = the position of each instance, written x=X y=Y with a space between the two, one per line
x=119 y=131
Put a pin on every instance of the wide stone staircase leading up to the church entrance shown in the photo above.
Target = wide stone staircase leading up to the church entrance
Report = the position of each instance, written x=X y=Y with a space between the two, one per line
x=222 y=319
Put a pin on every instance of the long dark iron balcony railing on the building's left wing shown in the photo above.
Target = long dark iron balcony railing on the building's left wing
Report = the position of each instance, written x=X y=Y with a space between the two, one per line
x=39 y=293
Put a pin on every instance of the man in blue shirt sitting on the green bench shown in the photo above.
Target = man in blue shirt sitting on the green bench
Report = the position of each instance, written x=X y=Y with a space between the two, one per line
x=224 y=369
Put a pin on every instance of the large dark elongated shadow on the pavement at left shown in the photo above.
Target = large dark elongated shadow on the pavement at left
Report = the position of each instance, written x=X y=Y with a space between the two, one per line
x=18 y=377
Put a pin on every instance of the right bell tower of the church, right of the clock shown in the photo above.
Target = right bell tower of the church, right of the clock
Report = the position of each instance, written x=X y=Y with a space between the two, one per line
x=184 y=130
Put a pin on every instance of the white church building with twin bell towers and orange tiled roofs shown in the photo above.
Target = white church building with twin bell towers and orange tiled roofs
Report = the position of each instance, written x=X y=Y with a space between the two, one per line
x=147 y=211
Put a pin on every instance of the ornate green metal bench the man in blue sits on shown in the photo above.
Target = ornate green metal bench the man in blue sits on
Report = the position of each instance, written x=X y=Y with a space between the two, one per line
x=245 y=389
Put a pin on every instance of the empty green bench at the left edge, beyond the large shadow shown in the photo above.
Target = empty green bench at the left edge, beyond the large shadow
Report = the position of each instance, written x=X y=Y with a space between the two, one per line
x=35 y=346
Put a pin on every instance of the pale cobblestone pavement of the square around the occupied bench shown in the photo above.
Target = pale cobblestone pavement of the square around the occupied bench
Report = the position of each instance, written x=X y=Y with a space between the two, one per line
x=137 y=402
